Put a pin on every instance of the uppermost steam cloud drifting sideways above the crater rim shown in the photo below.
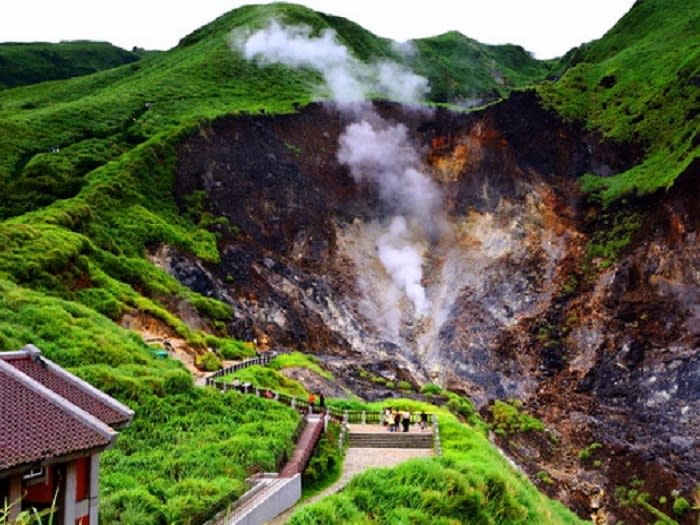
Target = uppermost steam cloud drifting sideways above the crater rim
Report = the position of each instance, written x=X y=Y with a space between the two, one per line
x=347 y=79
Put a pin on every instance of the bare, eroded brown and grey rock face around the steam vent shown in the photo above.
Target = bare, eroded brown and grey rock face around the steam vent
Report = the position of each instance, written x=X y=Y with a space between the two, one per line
x=611 y=358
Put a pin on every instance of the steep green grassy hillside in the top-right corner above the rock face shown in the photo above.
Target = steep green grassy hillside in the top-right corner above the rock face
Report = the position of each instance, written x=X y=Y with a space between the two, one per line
x=639 y=83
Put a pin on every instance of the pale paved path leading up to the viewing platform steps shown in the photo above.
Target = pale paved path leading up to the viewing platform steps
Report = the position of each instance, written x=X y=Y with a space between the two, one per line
x=357 y=460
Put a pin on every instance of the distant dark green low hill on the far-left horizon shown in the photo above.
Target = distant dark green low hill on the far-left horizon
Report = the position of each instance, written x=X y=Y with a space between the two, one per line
x=29 y=63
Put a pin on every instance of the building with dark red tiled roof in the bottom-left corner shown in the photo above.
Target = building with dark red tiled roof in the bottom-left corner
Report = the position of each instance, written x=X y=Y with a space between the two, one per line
x=53 y=427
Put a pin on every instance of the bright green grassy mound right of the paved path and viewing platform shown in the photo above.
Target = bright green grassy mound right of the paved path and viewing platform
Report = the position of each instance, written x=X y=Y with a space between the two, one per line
x=471 y=483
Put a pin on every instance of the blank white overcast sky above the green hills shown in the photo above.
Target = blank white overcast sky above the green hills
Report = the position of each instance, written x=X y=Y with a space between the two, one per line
x=548 y=28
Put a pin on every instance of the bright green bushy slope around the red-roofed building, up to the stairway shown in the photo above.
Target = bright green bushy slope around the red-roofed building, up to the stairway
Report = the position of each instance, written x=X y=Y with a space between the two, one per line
x=188 y=449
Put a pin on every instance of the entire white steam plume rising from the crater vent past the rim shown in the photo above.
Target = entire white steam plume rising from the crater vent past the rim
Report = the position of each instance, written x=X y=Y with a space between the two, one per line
x=376 y=152
